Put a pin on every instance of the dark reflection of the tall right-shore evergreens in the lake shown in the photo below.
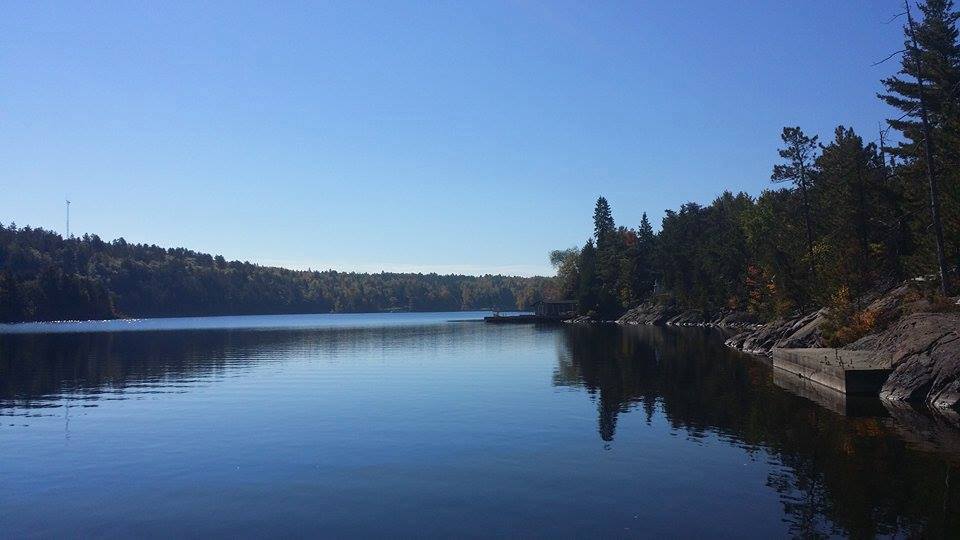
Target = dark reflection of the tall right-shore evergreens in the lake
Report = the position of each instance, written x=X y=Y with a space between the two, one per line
x=854 y=476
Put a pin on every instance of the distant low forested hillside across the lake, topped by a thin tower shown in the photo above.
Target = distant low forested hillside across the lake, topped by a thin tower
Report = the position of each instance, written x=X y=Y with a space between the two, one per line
x=46 y=277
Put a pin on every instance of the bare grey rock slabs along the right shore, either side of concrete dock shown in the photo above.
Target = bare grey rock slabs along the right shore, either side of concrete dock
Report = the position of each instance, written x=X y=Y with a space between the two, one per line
x=923 y=339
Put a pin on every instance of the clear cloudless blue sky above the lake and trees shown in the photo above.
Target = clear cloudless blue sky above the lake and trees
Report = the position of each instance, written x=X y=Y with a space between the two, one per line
x=416 y=136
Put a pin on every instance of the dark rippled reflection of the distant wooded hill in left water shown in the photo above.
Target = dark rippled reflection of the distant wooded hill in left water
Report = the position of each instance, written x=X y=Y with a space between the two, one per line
x=36 y=369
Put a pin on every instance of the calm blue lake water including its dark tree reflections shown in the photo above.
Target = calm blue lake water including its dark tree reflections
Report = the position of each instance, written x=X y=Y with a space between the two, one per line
x=410 y=425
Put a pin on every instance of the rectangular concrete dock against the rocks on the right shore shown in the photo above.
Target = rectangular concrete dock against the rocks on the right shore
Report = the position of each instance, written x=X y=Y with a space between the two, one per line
x=850 y=372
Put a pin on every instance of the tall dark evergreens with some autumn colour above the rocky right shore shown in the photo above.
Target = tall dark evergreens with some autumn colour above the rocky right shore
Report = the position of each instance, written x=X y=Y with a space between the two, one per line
x=851 y=213
